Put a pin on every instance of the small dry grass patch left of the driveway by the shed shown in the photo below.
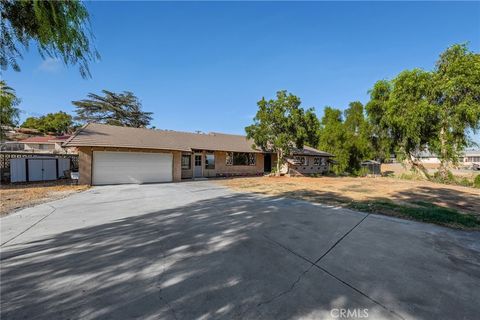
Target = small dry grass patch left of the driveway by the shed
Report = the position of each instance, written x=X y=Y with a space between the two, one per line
x=15 y=197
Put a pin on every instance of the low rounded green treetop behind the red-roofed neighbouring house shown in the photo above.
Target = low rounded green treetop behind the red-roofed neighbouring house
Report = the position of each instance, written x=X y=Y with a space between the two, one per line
x=53 y=123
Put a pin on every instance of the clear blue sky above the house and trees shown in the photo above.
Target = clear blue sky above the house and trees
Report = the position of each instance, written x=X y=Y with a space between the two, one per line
x=203 y=66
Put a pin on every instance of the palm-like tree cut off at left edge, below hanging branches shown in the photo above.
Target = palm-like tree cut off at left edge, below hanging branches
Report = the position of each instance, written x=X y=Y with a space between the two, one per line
x=9 y=113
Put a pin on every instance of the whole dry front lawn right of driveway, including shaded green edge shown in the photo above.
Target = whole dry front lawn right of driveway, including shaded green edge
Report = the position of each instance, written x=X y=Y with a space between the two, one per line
x=447 y=205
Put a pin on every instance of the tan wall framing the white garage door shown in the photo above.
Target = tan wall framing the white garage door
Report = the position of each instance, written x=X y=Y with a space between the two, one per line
x=85 y=161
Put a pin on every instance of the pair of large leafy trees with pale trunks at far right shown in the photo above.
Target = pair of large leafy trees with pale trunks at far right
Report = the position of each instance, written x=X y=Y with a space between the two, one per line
x=421 y=110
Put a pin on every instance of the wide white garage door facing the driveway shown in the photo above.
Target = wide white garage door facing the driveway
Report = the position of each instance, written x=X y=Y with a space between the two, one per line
x=110 y=167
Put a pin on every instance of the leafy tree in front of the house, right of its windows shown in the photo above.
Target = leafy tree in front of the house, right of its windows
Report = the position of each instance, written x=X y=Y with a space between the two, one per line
x=281 y=124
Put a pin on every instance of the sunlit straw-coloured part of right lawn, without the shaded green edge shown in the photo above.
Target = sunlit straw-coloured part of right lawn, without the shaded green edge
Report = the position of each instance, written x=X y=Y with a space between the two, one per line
x=344 y=191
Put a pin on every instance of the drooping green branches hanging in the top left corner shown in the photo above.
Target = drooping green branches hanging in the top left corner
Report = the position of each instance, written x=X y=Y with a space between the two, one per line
x=60 y=29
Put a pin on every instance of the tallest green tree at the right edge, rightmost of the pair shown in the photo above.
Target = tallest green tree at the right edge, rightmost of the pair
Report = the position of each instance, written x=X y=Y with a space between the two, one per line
x=455 y=96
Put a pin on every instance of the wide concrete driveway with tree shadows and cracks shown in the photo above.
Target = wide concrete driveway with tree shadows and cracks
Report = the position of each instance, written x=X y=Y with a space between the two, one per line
x=195 y=250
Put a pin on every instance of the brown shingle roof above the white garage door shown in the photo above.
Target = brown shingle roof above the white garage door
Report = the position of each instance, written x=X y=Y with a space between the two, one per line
x=100 y=135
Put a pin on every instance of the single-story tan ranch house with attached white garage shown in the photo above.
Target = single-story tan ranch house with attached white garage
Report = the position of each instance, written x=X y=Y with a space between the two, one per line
x=115 y=155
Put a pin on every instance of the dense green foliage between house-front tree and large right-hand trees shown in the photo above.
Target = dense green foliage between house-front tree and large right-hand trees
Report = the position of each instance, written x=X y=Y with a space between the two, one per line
x=348 y=140
